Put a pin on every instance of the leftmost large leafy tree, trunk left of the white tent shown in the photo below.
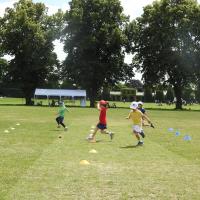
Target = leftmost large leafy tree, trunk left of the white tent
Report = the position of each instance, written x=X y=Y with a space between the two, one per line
x=28 y=35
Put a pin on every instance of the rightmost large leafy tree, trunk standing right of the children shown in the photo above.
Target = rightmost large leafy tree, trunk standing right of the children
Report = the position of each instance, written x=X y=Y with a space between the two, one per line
x=167 y=43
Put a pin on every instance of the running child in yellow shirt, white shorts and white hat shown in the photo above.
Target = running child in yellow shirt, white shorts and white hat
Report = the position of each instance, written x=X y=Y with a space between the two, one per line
x=137 y=116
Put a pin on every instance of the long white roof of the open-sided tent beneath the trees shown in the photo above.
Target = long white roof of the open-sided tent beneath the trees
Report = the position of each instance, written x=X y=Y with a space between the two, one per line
x=60 y=92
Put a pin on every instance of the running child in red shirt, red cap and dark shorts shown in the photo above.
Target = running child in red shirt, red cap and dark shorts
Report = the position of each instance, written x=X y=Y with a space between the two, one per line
x=102 y=124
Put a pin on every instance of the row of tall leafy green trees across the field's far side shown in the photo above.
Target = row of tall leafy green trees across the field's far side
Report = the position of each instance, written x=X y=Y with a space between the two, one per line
x=165 y=42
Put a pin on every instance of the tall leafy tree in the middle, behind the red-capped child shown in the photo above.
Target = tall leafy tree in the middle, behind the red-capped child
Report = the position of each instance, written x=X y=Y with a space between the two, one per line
x=94 y=40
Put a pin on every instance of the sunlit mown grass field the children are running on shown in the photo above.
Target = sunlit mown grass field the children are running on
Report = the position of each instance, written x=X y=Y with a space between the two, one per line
x=37 y=164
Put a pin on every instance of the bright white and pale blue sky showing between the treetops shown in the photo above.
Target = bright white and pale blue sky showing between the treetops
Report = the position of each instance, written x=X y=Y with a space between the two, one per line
x=133 y=8
